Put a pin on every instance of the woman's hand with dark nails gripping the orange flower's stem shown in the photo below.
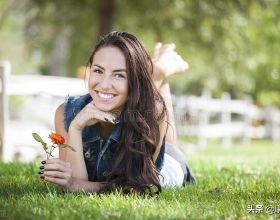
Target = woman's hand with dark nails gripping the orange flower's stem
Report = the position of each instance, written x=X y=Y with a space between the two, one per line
x=57 y=171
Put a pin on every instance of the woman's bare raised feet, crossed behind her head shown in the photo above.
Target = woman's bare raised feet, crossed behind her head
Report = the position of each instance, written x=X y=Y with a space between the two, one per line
x=167 y=61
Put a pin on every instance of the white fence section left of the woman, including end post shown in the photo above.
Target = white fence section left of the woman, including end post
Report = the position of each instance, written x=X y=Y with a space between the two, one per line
x=15 y=136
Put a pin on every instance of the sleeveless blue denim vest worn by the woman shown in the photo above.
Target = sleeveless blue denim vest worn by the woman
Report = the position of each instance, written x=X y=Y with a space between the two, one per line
x=98 y=153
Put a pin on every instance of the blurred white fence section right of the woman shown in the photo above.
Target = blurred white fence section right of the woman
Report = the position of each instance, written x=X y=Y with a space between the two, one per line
x=206 y=117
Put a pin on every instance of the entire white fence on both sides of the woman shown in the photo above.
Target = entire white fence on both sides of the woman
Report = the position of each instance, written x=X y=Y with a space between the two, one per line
x=203 y=117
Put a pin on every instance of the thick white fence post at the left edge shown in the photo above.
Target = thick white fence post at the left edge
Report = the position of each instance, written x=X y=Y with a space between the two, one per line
x=5 y=69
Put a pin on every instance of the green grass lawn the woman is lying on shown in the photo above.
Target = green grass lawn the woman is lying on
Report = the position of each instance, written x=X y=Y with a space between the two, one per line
x=228 y=180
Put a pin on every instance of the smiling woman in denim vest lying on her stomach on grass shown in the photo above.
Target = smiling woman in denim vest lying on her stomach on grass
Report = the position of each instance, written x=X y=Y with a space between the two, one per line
x=123 y=130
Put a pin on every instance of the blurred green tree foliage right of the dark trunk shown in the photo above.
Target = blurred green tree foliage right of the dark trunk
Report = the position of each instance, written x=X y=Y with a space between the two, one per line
x=230 y=45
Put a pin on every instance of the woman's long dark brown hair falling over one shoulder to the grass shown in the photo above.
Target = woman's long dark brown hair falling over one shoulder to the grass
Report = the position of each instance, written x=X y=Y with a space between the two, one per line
x=134 y=169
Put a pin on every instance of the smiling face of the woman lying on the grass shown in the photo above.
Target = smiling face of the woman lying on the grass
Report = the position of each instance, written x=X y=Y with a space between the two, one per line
x=108 y=83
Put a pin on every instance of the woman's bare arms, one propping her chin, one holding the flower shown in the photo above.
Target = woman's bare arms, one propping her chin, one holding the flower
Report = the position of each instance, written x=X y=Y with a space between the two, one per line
x=69 y=170
